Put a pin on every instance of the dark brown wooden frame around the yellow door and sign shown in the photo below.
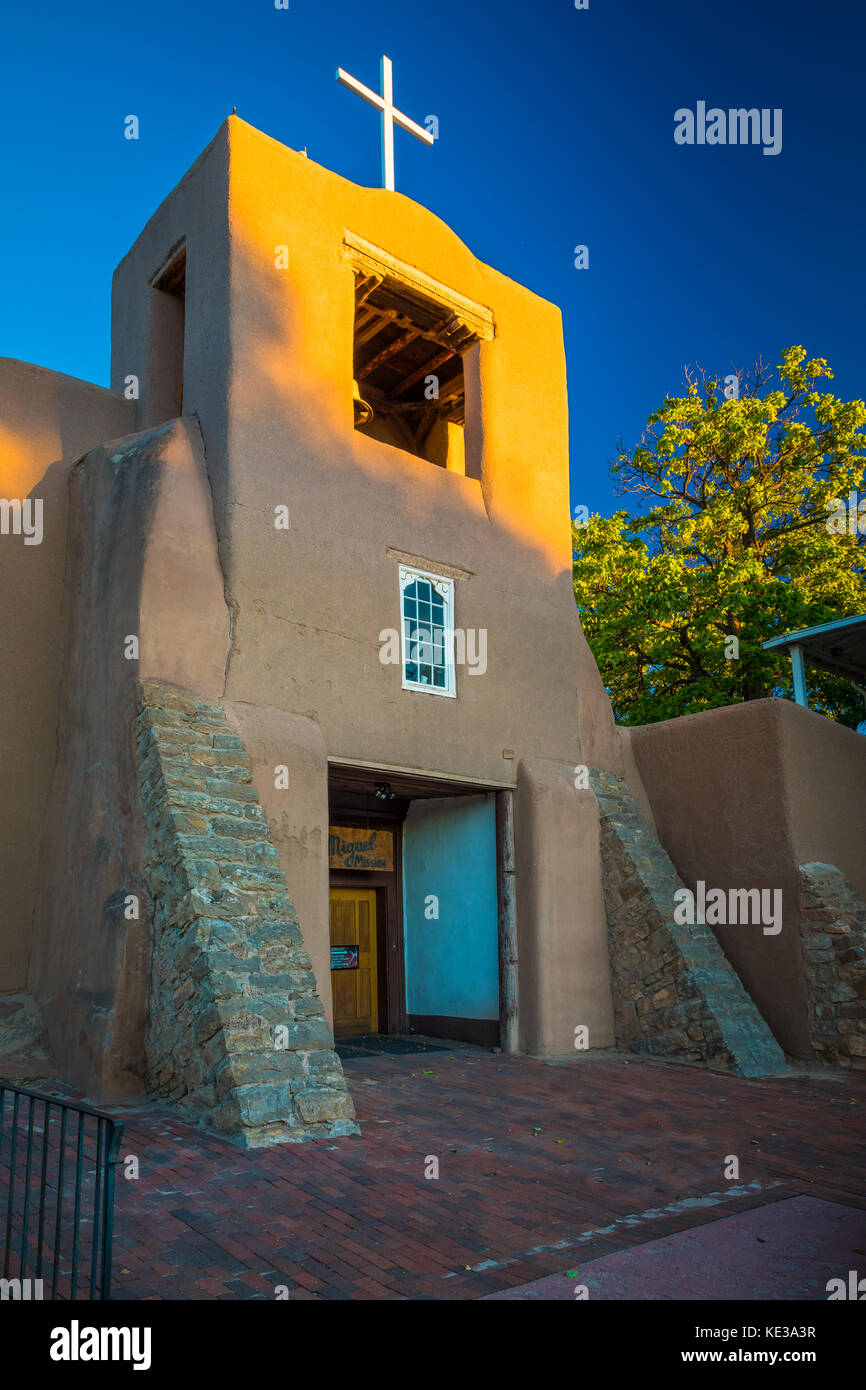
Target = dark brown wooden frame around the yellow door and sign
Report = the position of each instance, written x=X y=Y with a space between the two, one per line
x=391 y=956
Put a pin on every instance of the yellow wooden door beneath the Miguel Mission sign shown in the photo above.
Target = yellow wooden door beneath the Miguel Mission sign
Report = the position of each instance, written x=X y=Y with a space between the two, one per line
x=354 y=964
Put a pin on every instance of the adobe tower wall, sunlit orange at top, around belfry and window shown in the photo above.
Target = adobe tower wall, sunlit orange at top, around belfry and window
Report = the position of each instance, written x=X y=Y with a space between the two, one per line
x=308 y=605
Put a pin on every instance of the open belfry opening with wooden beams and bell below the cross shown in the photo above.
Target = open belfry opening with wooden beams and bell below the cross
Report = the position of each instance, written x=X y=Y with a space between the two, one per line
x=409 y=382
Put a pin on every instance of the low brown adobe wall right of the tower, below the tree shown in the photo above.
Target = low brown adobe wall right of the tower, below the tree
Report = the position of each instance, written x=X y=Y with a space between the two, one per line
x=743 y=797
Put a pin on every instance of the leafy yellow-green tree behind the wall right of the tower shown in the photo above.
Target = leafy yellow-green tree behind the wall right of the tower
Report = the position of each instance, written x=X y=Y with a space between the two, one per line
x=732 y=543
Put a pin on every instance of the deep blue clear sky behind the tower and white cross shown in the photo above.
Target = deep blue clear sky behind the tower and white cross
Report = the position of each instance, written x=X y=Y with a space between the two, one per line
x=557 y=129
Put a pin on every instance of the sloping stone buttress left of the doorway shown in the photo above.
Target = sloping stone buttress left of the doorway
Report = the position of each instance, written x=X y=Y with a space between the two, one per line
x=237 y=1035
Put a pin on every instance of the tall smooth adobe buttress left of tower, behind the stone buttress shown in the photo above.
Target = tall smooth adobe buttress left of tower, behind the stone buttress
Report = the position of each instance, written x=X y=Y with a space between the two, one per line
x=142 y=561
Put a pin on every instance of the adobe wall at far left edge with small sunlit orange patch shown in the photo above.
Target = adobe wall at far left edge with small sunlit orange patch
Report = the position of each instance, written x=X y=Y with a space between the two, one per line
x=47 y=422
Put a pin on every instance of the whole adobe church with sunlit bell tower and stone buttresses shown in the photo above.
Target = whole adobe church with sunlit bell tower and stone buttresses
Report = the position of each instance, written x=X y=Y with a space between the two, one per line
x=302 y=735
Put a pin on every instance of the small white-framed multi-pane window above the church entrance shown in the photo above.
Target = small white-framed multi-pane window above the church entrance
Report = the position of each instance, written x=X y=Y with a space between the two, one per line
x=427 y=628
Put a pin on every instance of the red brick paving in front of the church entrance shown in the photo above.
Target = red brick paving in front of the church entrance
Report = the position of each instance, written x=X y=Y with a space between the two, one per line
x=534 y=1163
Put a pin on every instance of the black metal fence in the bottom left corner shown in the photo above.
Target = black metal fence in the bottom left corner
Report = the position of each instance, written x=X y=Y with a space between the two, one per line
x=58 y=1164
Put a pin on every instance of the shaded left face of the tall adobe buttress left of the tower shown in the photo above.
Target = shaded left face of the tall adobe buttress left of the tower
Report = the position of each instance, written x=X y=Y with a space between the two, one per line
x=91 y=958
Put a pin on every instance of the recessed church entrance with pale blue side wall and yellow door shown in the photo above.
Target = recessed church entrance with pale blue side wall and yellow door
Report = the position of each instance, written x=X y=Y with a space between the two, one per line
x=425 y=854
